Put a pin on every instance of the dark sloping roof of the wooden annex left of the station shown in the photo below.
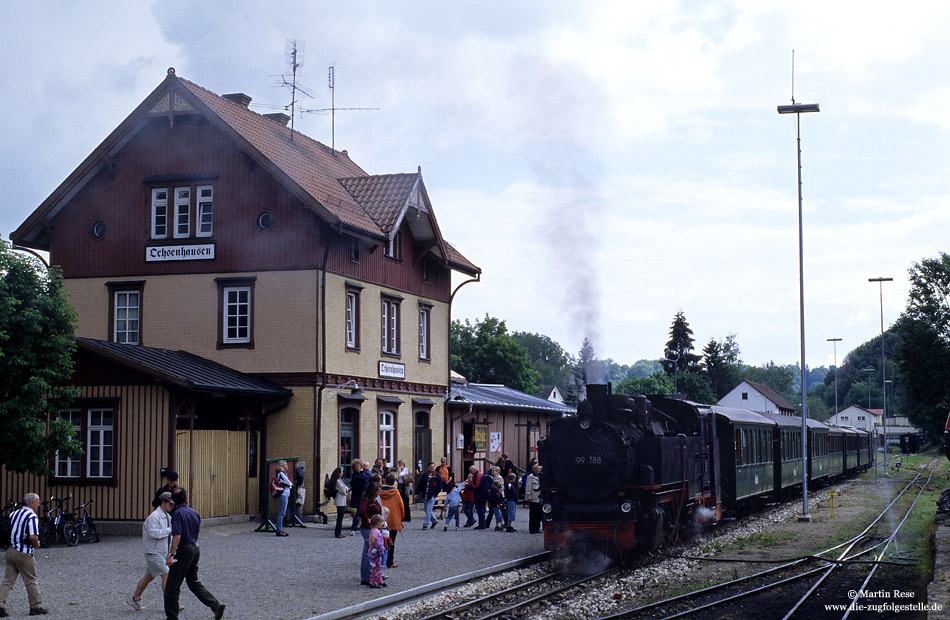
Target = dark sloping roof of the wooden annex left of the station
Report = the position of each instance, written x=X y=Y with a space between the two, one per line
x=182 y=369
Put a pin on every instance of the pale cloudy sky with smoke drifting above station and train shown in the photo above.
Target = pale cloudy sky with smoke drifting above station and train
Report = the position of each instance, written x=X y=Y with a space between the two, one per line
x=606 y=163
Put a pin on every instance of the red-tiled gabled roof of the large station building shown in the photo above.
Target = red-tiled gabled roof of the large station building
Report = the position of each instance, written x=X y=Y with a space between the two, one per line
x=327 y=181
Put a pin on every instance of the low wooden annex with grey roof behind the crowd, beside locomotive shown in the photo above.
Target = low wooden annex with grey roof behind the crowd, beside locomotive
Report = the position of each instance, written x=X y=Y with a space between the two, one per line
x=490 y=420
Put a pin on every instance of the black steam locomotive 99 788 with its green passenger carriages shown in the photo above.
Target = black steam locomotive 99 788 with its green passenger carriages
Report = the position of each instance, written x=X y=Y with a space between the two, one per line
x=629 y=474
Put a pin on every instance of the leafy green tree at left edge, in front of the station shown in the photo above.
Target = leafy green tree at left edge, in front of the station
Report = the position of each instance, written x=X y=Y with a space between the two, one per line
x=36 y=363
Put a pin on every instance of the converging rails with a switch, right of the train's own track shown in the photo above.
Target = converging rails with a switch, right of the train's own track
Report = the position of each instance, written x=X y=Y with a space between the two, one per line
x=802 y=587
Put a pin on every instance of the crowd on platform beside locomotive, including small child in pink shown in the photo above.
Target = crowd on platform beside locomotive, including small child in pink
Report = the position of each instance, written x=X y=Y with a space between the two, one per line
x=379 y=500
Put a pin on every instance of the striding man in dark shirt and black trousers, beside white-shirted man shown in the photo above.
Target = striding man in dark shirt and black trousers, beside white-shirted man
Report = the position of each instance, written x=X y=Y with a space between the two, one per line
x=183 y=559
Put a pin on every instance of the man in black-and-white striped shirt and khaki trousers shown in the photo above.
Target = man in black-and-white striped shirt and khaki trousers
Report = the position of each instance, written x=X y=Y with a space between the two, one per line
x=24 y=538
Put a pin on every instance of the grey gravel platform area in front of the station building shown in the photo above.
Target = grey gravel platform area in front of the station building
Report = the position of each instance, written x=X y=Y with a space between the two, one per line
x=260 y=576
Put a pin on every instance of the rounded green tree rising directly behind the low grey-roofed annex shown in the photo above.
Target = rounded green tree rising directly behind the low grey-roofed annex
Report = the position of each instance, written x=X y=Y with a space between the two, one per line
x=485 y=352
